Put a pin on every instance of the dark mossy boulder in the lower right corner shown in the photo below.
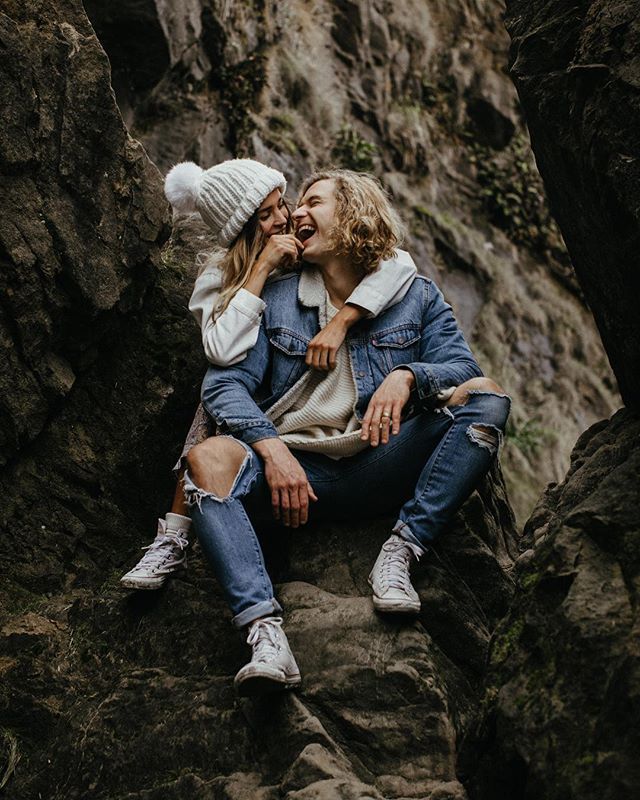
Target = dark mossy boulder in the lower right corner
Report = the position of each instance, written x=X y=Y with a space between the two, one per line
x=563 y=701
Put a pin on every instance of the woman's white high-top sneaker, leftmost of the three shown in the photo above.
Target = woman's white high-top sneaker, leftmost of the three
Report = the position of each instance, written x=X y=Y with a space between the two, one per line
x=164 y=556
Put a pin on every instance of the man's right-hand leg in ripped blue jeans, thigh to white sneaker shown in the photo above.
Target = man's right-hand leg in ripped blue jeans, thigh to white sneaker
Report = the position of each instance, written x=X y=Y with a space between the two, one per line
x=429 y=469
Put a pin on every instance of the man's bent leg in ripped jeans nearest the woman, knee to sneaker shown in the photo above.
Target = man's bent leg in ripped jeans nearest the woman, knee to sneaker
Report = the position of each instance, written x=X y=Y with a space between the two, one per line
x=222 y=473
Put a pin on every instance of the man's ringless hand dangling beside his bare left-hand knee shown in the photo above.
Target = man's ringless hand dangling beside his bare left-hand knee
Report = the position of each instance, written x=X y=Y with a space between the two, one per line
x=290 y=489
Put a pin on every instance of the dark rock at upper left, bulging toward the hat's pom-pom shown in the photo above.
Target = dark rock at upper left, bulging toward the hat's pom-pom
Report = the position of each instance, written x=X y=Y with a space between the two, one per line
x=81 y=214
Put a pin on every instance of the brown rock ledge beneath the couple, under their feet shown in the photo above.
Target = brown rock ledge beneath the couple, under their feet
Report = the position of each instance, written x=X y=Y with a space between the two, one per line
x=145 y=681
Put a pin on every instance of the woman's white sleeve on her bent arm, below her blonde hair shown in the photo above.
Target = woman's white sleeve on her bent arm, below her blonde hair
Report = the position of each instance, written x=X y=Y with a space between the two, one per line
x=227 y=338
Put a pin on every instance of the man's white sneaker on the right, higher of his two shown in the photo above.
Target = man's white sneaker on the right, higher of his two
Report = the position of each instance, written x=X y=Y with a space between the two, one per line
x=389 y=578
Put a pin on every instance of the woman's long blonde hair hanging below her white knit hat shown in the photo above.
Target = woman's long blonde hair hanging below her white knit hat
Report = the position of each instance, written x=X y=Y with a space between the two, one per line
x=235 y=263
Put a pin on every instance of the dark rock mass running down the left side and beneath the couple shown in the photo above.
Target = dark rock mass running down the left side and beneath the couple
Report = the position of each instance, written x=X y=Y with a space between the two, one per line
x=107 y=695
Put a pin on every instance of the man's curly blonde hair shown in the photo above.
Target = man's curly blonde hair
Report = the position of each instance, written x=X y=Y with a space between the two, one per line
x=367 y=229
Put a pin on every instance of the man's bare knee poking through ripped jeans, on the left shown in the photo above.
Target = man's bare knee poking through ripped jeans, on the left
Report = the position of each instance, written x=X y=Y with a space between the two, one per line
x=215 y=463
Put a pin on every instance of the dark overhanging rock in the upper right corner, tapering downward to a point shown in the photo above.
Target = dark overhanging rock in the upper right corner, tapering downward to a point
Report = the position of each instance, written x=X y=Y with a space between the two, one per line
x=575 y=70
